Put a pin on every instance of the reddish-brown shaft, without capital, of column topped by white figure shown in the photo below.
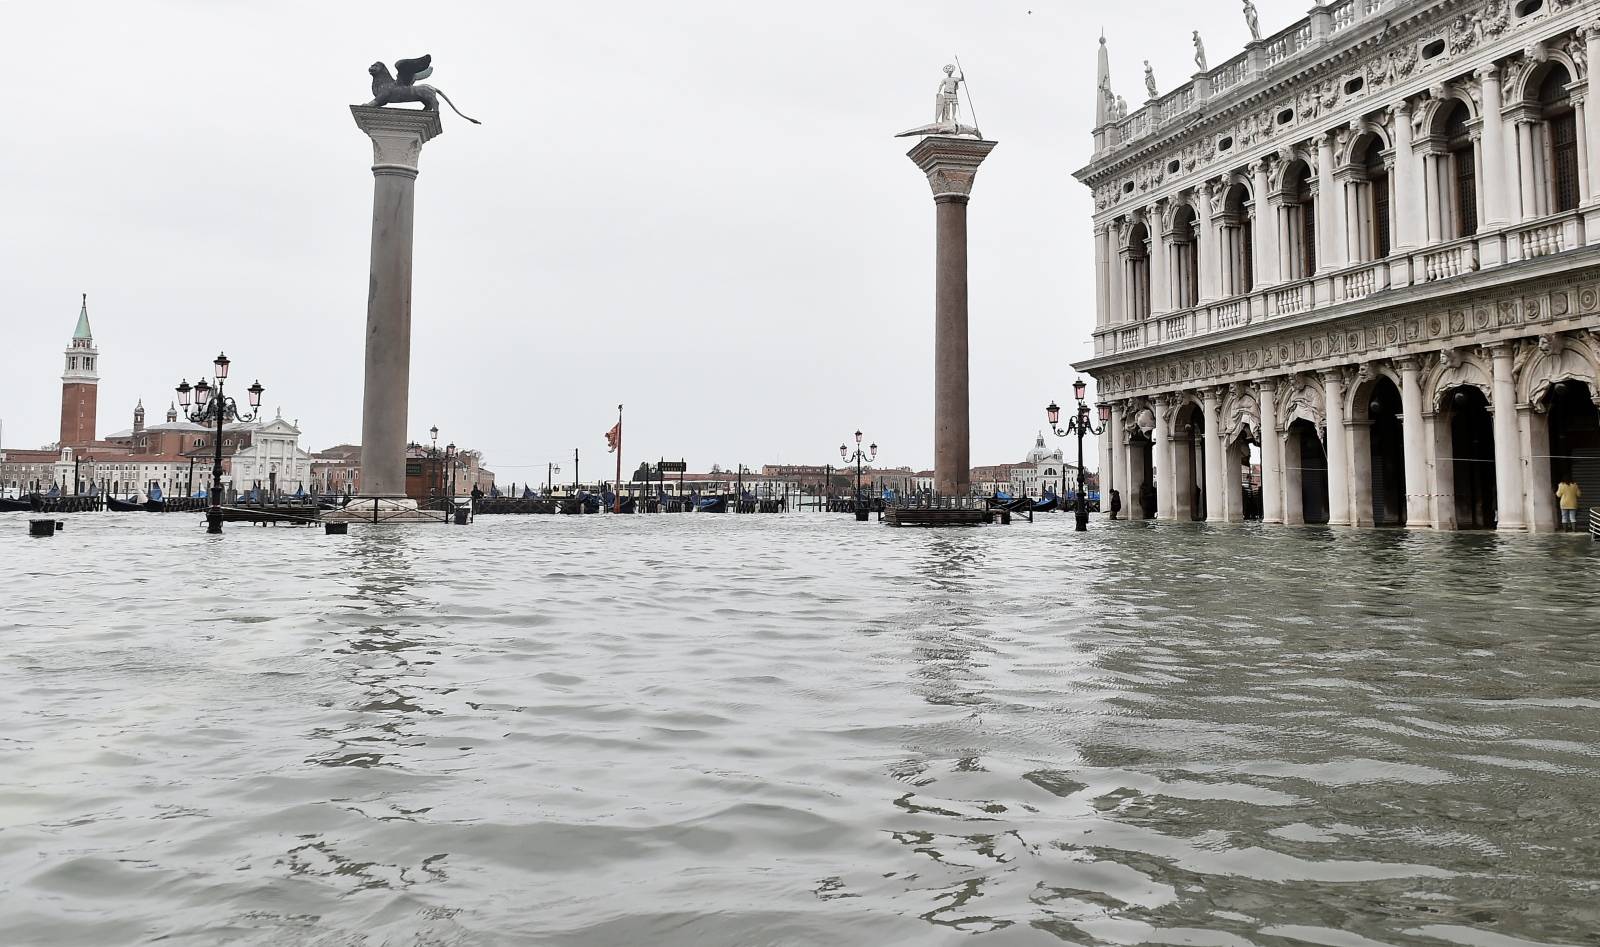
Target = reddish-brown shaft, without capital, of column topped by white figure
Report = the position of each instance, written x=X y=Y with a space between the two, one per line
x=951 y=425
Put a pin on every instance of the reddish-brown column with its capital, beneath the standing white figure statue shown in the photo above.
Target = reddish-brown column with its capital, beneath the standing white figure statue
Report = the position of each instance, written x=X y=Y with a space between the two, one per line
x=951 y=166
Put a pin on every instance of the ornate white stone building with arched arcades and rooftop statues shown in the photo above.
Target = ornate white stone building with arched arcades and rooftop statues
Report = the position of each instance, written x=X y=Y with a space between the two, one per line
x=1367 y=252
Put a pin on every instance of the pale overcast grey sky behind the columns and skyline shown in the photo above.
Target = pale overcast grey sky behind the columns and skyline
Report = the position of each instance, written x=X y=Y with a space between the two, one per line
x=692 y=209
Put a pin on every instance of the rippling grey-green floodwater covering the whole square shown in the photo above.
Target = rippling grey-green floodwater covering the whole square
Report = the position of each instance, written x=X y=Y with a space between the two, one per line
x=716 y=730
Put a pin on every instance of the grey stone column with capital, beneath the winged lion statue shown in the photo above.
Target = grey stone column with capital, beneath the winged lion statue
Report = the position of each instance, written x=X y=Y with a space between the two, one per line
x=398 y=137
